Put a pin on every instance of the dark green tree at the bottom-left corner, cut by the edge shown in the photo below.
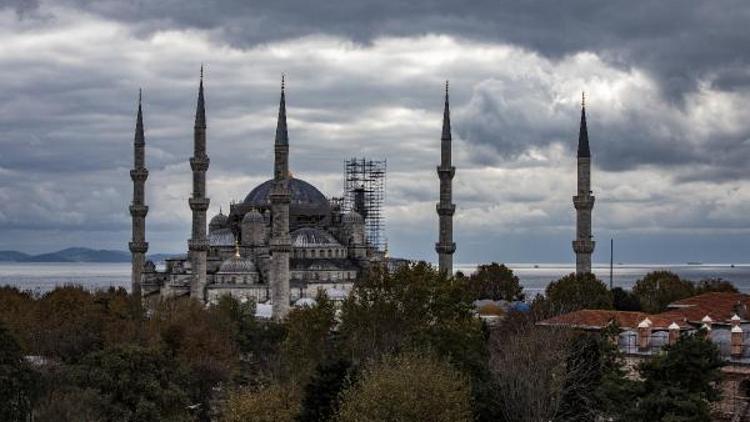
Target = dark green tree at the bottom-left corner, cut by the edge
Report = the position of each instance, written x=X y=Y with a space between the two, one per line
x=18 y=382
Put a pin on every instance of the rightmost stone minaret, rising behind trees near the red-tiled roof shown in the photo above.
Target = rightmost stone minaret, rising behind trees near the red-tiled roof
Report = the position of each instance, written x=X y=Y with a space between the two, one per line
x=583 y=246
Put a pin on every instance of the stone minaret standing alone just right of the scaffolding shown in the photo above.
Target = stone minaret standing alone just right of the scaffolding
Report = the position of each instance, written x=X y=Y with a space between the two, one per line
x=445 y=208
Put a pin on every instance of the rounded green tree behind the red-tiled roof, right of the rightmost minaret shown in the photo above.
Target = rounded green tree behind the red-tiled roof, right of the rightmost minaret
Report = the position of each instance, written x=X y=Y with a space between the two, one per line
x=658 y=289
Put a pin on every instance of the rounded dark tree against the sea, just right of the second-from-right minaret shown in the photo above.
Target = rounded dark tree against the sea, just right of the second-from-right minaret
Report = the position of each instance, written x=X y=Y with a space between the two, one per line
x=495 y=281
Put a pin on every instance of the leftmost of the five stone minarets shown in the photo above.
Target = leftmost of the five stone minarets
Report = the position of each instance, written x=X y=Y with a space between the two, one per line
x=138 y=209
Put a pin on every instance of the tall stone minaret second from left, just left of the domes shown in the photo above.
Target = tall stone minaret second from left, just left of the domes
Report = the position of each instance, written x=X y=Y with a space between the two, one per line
x=198 y=243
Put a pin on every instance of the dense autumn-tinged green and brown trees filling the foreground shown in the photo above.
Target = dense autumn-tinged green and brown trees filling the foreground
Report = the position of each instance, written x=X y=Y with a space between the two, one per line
x=405 y=345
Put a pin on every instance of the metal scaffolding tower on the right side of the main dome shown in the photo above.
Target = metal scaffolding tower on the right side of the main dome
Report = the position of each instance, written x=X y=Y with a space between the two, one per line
x=364 y=192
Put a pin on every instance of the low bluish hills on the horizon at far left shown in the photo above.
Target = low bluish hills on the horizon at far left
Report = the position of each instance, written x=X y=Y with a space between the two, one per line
x=75 y=255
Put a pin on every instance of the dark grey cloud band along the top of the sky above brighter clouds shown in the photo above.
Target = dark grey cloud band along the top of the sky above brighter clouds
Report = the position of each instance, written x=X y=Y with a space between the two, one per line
x=680 y=42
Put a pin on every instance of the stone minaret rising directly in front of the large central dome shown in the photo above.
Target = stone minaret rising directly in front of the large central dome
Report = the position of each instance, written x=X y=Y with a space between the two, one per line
x=280 y=244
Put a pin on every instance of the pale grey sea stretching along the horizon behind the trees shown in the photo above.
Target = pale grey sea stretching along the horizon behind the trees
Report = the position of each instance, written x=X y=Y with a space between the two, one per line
x=43 y=277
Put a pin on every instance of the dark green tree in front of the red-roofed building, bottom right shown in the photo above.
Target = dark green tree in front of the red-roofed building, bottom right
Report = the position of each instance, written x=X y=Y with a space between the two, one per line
x=678 y=384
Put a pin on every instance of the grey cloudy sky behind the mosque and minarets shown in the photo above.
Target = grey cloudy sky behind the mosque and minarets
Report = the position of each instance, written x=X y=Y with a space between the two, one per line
x=668 y=103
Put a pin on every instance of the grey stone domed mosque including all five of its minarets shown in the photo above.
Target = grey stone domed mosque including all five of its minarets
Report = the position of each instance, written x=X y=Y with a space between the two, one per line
x=286 y=241
